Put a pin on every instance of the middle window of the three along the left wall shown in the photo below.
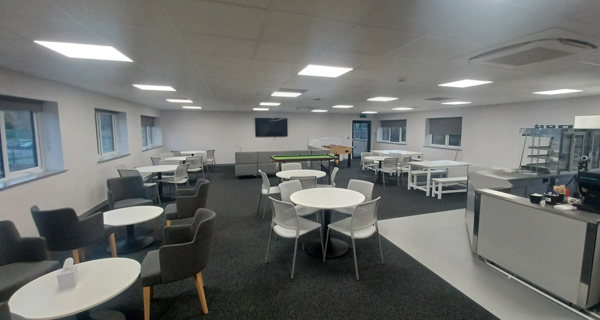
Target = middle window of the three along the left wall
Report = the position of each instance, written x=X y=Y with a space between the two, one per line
x=111 y=134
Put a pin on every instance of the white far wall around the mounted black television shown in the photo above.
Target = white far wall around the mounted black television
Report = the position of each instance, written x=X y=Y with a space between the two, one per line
x=229 y=132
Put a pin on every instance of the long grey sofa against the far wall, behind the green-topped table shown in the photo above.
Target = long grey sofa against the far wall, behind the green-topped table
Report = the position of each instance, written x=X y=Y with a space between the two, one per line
x=247 y=163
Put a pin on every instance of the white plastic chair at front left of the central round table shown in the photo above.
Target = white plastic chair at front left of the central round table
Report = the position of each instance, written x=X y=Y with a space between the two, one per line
x=287 y=224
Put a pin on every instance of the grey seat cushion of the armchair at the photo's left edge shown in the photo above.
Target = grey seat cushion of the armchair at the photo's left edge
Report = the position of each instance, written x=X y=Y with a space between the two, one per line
x=15 y=275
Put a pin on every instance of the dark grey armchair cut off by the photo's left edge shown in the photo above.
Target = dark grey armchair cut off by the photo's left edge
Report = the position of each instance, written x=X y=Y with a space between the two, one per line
x=21 y=260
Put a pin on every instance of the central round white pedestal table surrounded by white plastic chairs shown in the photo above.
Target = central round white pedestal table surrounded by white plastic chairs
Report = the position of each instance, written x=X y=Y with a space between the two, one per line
x=327 y=199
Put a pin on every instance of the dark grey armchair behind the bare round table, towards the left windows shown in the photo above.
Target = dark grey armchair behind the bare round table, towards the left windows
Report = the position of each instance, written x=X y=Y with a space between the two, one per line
x=126 y=192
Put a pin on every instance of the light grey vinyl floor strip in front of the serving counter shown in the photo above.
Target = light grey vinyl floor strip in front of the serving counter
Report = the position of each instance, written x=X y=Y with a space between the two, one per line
x=440 y=242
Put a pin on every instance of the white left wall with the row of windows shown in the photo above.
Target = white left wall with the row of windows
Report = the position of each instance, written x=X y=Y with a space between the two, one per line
x=83 y=185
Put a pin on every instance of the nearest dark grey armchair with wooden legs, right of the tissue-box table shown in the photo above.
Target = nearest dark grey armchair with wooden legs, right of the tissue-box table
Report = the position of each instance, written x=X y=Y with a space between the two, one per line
x=184 y=254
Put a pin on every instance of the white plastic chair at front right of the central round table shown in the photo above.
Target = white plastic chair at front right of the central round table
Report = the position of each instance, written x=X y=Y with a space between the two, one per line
x=361 y=225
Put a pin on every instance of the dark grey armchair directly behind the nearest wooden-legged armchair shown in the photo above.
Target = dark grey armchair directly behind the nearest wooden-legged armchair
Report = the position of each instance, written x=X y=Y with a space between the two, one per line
x=187 y=202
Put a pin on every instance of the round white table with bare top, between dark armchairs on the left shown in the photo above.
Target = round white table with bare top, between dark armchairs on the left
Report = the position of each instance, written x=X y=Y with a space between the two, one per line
x=128 y=217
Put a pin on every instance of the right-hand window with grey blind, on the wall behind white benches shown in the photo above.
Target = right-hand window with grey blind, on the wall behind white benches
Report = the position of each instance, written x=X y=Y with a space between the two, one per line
x=444 y=132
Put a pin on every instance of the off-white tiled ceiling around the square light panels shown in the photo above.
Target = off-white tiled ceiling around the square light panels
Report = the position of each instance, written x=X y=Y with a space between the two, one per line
x=230 y=55
